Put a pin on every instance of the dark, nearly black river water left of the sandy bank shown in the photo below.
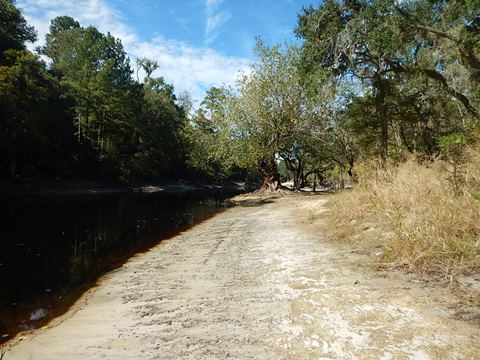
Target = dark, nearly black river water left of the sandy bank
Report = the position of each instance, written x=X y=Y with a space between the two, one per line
x=52 y=249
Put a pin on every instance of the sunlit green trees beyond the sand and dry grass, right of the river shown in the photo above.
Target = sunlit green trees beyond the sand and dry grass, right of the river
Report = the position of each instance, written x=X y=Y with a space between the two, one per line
x=378 y=79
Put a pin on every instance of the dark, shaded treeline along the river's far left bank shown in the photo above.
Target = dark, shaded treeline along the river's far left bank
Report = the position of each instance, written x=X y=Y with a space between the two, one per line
x=84 y=115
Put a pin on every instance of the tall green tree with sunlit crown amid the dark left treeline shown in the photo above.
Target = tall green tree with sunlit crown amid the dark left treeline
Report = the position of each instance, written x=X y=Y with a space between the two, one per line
x=95 y=72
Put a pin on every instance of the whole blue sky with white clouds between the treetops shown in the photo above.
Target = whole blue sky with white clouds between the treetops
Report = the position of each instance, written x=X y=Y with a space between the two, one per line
x=197 y=43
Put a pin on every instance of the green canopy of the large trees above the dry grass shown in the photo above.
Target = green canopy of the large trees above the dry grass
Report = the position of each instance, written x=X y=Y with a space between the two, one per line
x=410 y=68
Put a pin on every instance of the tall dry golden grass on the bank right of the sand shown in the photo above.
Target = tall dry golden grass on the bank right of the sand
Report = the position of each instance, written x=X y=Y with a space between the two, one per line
x=423 y=225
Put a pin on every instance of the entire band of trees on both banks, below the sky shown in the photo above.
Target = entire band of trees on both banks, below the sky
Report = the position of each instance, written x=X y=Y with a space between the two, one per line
x=379 y=80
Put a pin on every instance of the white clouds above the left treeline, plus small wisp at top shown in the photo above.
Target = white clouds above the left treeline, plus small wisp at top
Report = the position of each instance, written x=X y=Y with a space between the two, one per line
x=186 y=67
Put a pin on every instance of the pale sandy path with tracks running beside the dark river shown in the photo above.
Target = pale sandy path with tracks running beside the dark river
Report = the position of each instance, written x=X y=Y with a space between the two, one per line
x=252 y=283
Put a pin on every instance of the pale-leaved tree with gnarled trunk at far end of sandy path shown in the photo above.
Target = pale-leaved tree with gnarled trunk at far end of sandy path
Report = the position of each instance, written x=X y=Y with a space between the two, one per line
x=268 y=110
